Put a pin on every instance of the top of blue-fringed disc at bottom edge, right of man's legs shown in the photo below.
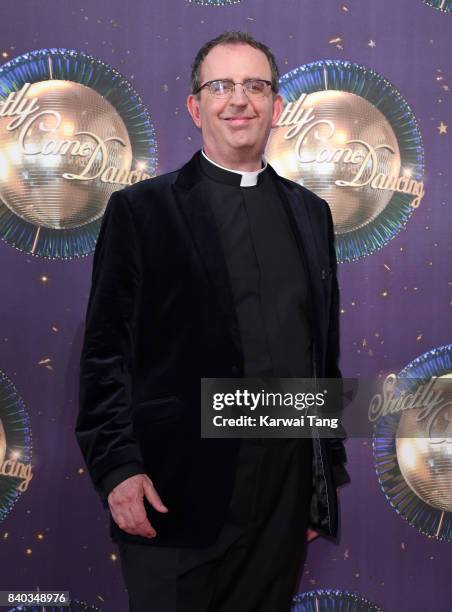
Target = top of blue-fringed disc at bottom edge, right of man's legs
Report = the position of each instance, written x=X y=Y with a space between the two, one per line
x=331 y=600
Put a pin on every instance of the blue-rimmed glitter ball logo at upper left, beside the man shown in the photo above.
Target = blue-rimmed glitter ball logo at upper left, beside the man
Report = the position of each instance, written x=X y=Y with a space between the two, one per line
x=72 y=131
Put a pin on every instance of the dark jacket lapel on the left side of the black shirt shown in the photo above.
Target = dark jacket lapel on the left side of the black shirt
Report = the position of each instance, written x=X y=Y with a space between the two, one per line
x=192 y=200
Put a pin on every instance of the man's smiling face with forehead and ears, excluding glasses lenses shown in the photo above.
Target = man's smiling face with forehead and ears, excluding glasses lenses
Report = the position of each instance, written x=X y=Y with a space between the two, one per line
x=235 y=127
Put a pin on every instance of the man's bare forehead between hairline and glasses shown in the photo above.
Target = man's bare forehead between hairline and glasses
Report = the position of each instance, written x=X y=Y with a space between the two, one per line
x=235 y=57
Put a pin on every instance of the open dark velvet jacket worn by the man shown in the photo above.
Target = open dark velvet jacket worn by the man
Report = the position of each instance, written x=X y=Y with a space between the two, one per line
x=160 y=317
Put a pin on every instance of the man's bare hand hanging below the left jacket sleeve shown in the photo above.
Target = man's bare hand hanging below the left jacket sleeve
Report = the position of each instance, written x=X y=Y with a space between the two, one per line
x=127 y=507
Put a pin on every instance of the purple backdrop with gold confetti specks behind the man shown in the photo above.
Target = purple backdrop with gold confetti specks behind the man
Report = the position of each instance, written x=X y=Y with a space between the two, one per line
x=380 y=556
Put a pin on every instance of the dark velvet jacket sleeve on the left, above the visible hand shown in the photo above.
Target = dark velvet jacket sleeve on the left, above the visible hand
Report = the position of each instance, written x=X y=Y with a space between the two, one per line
x=104 y=428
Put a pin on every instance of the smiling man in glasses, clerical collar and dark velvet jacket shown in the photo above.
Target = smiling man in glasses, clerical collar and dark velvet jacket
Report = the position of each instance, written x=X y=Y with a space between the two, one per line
x=222 y=269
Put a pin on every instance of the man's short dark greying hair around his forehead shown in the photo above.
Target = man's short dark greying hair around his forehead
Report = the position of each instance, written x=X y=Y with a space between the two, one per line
x=233 y=38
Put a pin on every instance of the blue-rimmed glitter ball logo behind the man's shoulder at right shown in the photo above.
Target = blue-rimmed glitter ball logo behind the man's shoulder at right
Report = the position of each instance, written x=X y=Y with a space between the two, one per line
x=346 y=134
